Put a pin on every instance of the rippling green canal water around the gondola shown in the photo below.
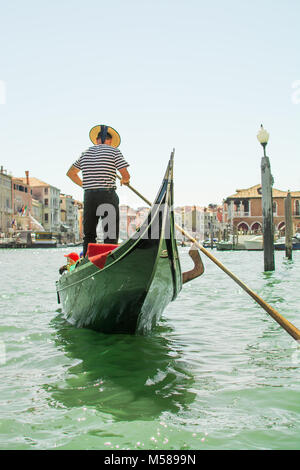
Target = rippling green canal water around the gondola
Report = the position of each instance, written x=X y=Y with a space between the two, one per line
x=217 y=373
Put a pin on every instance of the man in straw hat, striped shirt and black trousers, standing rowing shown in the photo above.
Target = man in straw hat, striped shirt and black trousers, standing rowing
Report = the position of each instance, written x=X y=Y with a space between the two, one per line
x=98 y=165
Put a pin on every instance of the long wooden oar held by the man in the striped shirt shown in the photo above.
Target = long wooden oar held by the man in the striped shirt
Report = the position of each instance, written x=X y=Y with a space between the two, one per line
x=283 y=322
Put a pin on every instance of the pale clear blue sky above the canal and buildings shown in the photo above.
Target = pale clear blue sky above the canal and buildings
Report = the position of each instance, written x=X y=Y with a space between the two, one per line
x=196 y=76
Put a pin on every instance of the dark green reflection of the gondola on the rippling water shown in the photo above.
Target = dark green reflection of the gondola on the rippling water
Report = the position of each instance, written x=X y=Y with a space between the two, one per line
x=129 y=377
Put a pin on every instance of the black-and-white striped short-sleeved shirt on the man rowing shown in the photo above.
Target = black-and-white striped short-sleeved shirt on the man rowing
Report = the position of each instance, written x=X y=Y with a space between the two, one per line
x=98 y=165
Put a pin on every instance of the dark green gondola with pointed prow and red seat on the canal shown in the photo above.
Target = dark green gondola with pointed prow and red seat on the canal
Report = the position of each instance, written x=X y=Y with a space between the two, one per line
x=125 y=288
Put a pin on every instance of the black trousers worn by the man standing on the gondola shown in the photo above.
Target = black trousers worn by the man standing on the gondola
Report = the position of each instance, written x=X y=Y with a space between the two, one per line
x=104 y=204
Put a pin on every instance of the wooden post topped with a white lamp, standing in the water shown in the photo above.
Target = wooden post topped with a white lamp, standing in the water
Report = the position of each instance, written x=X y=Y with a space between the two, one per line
x=267 y=203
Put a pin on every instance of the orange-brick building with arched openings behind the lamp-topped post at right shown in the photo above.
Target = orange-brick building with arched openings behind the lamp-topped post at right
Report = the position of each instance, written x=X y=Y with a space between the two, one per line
x=243 y=210
